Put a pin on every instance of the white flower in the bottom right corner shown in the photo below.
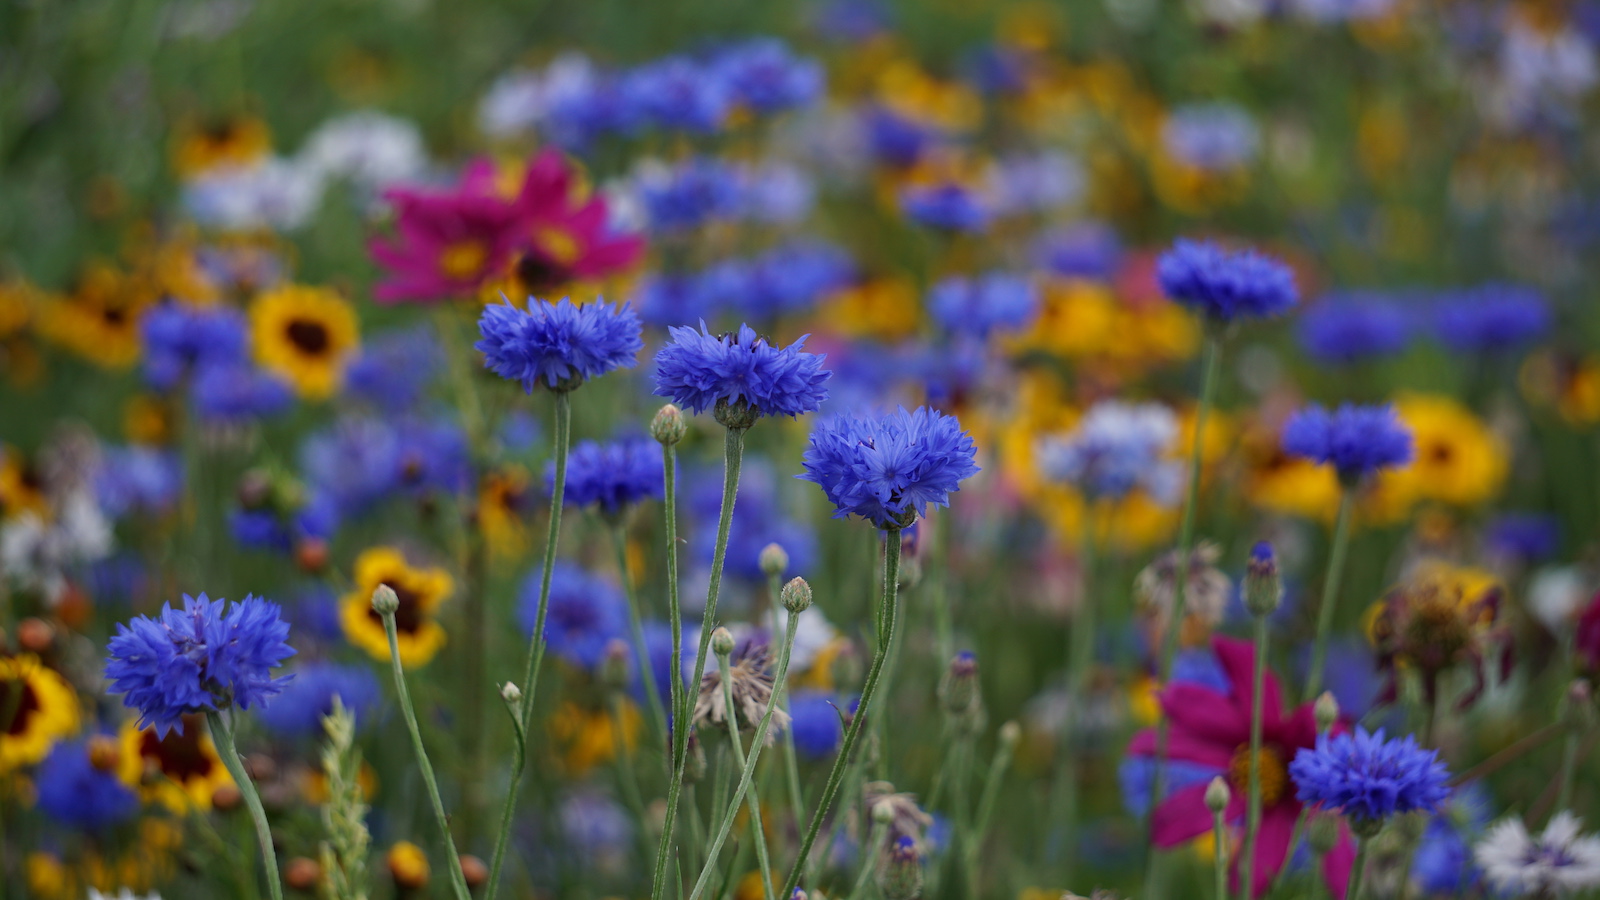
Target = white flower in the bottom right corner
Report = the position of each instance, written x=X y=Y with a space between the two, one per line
x=1558 y=862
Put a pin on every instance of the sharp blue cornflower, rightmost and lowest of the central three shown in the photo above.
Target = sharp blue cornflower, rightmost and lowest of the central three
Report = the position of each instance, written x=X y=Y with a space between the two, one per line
x=890 y=470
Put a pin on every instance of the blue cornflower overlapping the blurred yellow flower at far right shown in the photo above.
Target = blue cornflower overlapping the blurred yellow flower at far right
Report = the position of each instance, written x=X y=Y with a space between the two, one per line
x=1356 y=441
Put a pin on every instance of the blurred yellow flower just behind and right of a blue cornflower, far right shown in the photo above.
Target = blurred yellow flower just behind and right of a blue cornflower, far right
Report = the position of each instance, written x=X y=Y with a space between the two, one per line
x=1457 y=459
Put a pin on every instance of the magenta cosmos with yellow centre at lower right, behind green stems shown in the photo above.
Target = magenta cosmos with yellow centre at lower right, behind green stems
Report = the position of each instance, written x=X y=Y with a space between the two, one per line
x=1214 y=729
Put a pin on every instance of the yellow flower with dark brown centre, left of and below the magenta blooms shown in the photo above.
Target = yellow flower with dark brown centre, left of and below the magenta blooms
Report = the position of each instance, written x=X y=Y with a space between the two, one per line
x=305 y=334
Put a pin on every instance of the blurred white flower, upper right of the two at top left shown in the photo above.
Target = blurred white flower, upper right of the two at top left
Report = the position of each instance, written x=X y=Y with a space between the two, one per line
x=367 y=148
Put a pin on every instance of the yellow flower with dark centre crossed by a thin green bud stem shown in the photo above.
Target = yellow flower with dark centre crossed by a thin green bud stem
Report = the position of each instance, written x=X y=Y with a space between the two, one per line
x=418 y=635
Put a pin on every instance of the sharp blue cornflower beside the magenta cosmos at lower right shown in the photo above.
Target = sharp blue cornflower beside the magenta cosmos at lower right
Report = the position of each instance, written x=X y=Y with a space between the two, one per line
x=1369 y=777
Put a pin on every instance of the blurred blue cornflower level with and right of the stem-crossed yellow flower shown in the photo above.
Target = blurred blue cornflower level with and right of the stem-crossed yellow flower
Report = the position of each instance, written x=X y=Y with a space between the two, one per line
x=585 y=614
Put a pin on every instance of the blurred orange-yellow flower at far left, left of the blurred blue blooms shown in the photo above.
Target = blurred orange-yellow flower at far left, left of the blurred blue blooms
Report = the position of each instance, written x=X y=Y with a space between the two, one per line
x=100 y=321
